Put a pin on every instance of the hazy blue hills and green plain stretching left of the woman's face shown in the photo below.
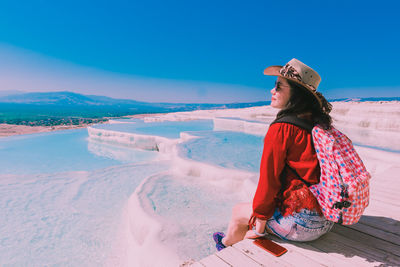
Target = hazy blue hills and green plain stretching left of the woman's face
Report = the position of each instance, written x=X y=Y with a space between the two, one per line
x=53 y=108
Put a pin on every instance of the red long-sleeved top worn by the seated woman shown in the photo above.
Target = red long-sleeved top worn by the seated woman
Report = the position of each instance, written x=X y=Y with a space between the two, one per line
x=278 y=186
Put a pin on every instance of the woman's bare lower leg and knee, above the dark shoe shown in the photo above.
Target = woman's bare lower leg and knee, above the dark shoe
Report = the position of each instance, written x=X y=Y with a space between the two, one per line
x=238 y=225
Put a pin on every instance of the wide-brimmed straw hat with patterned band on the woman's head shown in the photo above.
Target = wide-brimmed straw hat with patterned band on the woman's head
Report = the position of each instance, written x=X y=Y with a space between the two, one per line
x=298 y=72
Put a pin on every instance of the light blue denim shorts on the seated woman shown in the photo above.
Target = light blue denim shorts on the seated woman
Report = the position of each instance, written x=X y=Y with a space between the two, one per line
x=303 y=226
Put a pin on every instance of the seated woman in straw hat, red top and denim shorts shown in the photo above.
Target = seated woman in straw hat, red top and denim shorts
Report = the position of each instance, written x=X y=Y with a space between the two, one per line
x=283 y=205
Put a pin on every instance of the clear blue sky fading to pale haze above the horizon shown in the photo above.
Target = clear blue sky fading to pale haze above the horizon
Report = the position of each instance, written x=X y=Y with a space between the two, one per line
x=197 y=51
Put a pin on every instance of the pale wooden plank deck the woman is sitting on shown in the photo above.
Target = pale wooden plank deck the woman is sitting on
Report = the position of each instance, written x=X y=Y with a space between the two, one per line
x=374 y=241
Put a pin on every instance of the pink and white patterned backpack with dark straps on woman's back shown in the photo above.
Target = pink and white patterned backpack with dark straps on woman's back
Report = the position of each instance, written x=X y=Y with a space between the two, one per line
x=343 y=190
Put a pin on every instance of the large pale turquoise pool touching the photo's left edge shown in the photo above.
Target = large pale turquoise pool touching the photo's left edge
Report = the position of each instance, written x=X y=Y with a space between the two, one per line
x=59 y=151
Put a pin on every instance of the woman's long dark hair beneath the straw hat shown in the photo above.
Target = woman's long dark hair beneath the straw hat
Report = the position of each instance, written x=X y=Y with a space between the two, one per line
x=302 y=101
